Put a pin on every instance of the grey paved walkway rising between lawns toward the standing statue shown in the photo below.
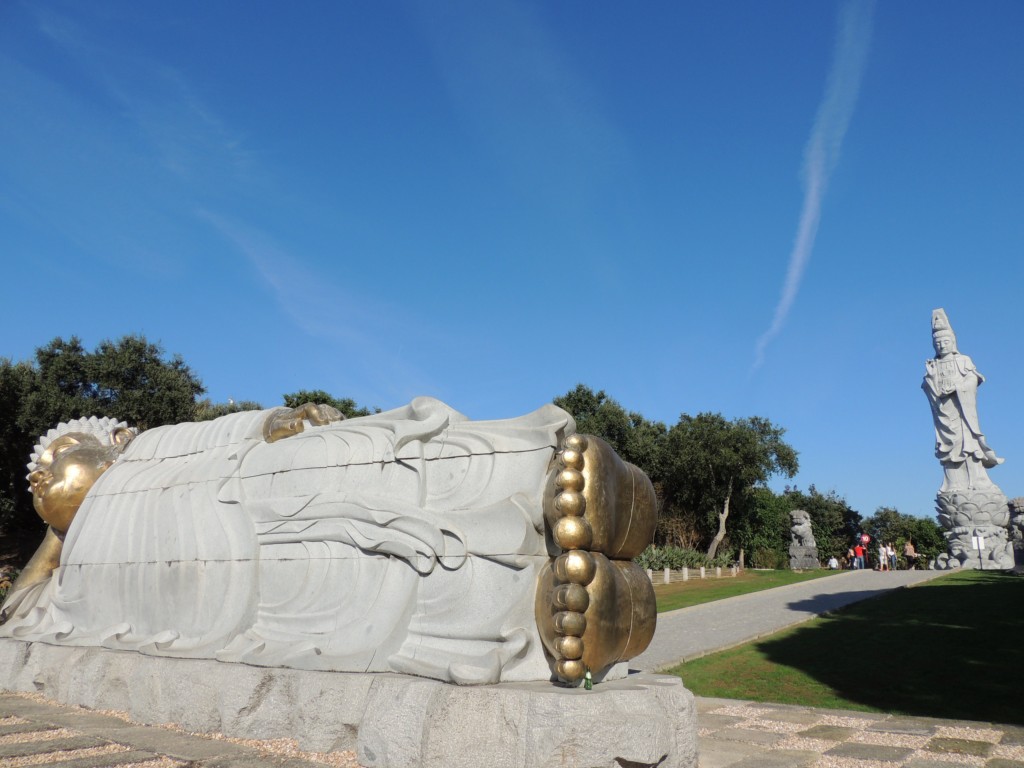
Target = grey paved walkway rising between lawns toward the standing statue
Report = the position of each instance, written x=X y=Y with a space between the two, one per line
x=690 y=633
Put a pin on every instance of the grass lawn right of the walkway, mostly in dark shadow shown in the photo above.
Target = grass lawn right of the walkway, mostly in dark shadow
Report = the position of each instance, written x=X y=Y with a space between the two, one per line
x=950 y=649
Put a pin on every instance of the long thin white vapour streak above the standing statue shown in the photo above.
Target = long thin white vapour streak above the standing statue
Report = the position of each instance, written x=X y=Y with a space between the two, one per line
x=823 y=151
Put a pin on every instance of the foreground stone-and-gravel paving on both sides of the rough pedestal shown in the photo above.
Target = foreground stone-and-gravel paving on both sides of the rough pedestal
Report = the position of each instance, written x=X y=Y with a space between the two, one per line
x=733 y=735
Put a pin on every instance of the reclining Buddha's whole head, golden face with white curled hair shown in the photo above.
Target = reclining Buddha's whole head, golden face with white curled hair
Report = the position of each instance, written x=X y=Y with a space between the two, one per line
x=67 y=464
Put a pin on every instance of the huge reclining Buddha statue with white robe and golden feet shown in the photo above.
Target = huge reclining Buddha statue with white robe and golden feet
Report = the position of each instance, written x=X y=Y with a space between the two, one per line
x=413 y=541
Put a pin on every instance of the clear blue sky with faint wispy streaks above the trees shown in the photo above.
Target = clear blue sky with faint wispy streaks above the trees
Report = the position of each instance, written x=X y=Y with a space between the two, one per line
x=749 y=208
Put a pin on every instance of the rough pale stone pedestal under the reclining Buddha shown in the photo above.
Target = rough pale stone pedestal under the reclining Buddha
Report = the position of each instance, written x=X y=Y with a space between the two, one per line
x=390 y=720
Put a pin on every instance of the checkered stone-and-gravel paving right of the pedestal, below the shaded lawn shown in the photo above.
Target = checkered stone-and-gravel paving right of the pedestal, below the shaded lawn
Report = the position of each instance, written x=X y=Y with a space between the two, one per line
x=746 y=735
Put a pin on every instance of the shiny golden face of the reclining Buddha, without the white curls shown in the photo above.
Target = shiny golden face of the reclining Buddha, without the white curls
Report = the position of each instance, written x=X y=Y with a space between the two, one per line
x=66 y=472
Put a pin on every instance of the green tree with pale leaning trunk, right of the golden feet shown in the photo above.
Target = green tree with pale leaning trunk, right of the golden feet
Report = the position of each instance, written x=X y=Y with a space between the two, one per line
x=713 y=463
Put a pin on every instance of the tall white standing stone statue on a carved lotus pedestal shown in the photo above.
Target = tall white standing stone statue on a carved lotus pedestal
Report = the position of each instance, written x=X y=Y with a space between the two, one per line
x=971 y=507
